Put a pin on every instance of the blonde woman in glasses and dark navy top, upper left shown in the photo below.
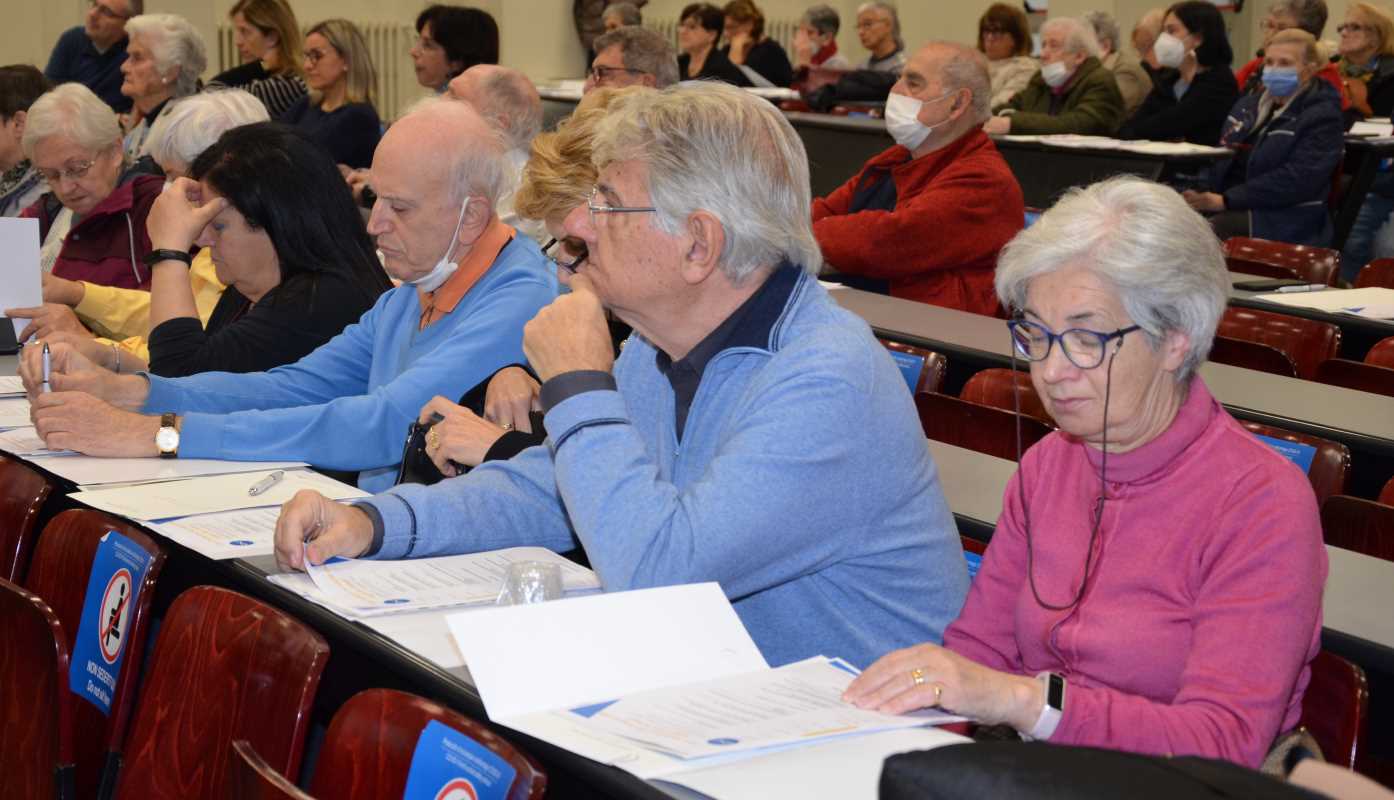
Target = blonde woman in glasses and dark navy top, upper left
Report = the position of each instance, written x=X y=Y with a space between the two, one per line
x=339 y=112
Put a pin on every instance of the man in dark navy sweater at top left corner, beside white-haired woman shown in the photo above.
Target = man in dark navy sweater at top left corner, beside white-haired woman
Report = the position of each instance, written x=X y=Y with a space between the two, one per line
x=93 y=54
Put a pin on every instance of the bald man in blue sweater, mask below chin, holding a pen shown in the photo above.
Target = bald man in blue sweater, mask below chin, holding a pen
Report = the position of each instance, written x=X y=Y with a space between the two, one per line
x=470 y=285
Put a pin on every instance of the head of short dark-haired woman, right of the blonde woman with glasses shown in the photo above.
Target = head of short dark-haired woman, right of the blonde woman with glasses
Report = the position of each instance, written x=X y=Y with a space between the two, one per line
x=452 y=40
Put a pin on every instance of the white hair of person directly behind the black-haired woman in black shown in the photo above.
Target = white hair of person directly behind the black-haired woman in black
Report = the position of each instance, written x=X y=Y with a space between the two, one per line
x=193 y=125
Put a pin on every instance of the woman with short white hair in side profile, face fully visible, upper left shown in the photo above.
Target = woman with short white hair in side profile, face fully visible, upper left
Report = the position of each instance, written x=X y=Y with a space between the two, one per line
x=164 y=61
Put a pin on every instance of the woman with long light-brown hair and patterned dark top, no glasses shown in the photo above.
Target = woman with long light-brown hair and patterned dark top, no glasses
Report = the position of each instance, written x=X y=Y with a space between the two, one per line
x=268 y=41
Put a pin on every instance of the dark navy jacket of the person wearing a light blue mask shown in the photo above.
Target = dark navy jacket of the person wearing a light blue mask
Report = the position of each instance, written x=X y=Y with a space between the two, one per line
x=1290 y=165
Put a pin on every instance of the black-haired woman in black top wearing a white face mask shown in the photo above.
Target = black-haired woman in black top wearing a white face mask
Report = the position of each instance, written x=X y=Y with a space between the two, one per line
x=1195 y=90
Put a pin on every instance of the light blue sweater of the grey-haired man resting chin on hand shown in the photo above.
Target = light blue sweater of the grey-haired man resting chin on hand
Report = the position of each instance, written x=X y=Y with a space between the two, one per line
x=802 y=484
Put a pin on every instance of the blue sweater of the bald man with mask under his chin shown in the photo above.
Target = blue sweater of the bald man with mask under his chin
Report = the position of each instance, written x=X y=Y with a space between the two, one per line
x=348 y=405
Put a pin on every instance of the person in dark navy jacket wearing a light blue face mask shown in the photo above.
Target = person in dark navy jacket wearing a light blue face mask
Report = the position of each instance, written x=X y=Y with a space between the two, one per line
x=1287 y=146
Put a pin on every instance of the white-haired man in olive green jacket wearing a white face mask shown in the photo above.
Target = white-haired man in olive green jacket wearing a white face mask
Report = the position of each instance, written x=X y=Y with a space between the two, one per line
x=1074 y=93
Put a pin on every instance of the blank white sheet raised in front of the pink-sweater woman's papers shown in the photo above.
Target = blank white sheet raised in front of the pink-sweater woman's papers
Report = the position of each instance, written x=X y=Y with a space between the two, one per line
x=593 y=649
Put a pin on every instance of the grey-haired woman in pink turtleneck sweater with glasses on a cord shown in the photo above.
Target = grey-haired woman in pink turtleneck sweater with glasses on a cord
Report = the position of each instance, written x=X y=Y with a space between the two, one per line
x=1155 y=580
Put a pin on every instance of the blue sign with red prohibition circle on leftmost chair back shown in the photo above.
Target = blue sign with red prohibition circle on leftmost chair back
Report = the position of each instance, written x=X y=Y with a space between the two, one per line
x=114 y=587
